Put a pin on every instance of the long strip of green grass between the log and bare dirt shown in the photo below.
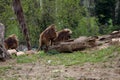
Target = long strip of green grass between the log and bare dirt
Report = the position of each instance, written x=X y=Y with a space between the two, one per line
x=68 y=59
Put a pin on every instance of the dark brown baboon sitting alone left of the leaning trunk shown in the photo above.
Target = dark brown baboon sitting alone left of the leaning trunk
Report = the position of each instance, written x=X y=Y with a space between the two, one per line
x=11 y=42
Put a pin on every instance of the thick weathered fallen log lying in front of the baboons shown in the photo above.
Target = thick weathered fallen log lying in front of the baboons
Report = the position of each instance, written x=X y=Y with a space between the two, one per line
x=74 y=45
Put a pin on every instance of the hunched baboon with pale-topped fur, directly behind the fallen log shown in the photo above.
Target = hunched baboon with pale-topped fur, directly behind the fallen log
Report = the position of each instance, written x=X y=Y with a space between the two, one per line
x=63 y=35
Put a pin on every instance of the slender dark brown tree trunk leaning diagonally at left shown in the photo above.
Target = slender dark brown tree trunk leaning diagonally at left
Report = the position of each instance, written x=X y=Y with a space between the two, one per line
x=20 y=16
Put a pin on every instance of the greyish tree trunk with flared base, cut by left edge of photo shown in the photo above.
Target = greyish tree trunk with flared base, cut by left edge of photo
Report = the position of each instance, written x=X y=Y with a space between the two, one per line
x=3 y=52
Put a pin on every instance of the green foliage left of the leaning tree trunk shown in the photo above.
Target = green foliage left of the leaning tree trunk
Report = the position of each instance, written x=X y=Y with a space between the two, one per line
x=8 y=18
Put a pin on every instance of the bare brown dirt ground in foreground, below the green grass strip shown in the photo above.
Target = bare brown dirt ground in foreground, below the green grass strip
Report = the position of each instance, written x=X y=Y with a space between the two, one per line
x=105 y=70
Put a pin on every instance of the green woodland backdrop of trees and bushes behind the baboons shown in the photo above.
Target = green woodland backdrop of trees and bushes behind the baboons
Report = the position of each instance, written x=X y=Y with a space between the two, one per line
x=83 y=17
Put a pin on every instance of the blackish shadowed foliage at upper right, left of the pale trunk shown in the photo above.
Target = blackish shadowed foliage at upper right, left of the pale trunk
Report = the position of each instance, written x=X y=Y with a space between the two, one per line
x=104 y=10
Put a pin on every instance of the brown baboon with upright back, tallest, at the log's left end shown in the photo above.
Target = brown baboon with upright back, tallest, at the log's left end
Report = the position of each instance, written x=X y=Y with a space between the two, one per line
x=47 y=37
